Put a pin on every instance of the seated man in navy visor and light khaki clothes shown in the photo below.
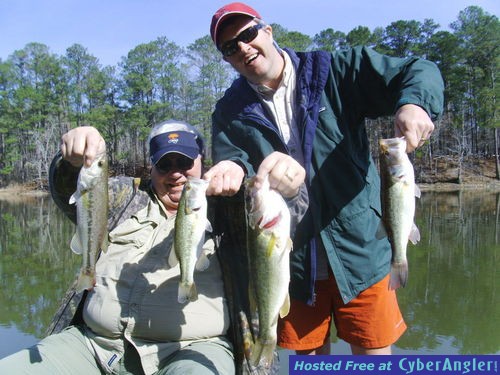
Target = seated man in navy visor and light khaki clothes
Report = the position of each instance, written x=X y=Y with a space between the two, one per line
x=131 y=319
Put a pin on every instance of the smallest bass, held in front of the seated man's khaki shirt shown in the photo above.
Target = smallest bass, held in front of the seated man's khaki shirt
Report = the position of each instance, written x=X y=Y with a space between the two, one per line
x=190 y=225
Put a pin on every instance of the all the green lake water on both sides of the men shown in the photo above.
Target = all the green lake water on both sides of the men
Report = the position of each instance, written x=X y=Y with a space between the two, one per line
x=451 y=302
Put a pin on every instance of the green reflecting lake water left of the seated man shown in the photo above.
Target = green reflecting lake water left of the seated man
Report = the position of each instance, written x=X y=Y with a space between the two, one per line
x=36 y=264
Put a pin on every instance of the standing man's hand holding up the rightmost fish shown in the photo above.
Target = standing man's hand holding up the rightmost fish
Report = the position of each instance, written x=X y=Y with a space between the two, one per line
x=413 y=122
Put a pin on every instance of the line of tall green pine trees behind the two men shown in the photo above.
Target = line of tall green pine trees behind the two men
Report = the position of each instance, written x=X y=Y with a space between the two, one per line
x=43 y=95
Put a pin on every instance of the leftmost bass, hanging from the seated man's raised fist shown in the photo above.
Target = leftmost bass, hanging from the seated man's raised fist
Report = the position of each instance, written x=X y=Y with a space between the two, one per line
x=91 y=198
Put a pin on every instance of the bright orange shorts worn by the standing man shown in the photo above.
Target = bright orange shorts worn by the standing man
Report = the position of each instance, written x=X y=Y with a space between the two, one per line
x=371 y=320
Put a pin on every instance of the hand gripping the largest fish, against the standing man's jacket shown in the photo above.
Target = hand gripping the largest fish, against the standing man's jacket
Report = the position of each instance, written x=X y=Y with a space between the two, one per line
x=285 y=174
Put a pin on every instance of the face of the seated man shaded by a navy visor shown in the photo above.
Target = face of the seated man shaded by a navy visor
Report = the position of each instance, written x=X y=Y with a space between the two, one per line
x=170 y=174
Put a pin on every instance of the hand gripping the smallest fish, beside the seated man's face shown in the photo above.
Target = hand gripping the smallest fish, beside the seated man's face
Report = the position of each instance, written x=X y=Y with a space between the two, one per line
x=224 y=178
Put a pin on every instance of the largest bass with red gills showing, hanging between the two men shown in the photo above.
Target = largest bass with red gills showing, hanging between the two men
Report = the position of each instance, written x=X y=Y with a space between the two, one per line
x=269 y=247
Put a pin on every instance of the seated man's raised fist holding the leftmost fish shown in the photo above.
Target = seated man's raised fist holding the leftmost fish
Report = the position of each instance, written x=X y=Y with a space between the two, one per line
x=80 y=145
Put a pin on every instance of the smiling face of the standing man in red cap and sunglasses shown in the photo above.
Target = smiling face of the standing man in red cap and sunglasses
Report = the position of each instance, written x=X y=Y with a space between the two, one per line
x=258 y=60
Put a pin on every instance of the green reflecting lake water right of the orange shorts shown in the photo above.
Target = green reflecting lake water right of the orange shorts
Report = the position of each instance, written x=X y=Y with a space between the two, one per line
x=452 y=294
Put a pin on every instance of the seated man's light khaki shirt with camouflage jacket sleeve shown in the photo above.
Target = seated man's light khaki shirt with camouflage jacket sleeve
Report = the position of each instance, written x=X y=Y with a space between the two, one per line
x=135 y=297
